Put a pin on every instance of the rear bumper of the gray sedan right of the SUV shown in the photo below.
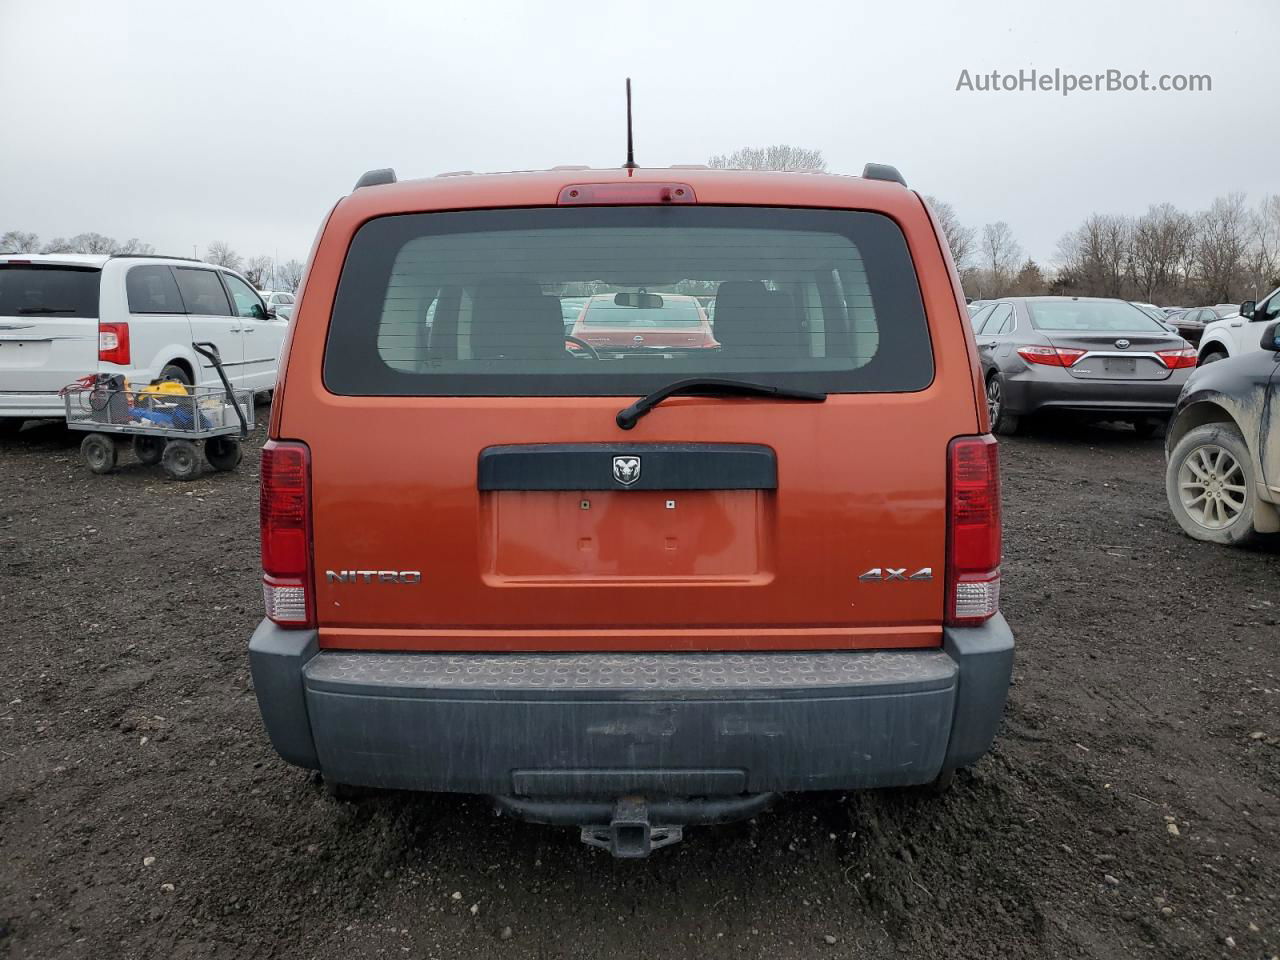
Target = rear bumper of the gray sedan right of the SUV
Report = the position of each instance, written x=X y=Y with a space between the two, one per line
x=1041 y=391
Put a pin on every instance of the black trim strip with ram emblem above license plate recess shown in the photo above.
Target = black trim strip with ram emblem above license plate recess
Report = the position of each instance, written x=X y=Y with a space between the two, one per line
x=662 y=467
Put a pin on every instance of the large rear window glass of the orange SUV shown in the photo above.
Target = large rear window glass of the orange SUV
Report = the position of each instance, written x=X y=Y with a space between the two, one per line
x=474 y=304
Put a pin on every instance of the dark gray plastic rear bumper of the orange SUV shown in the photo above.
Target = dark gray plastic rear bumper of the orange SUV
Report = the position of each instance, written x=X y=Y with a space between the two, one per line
x=606 y=725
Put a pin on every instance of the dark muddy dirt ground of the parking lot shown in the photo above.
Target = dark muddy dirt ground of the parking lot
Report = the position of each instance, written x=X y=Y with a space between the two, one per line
x=1130 y=808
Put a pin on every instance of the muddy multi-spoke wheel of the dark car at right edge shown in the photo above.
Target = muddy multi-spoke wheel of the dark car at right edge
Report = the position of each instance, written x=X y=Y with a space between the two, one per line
x=1210 y=484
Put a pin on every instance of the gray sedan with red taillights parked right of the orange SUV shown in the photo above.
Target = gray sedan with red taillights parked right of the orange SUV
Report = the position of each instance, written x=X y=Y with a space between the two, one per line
x=1089 y=356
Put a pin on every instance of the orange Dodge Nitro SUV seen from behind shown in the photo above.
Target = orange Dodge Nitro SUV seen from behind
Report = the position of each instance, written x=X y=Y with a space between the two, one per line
x=632 y=591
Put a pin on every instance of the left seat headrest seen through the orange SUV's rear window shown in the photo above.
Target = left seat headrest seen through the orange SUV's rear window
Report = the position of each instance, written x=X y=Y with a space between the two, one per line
x=513 y=319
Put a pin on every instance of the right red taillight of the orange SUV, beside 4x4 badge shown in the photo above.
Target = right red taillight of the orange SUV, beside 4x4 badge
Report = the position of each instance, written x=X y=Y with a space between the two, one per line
x=973 y=531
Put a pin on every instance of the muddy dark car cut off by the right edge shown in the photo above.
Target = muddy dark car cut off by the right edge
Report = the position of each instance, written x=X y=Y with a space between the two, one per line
x=1223 y=479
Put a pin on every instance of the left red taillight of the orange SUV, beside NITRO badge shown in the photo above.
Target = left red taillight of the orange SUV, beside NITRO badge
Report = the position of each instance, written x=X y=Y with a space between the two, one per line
x=286 y=528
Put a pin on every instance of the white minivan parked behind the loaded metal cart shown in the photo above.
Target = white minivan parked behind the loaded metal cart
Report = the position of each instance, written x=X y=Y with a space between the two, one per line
x=66 y=316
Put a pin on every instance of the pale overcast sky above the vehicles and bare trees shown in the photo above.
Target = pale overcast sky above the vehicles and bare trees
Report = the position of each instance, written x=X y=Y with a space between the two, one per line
x=182 y=124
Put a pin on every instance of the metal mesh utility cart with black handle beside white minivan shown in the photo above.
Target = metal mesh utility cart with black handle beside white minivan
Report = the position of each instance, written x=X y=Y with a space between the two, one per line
x=164 y=420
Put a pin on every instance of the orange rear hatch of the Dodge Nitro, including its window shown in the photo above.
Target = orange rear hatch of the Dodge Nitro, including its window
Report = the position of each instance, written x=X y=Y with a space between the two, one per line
x=492 y=470
